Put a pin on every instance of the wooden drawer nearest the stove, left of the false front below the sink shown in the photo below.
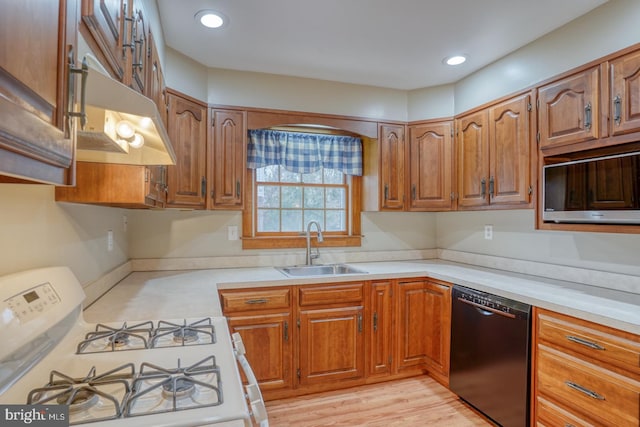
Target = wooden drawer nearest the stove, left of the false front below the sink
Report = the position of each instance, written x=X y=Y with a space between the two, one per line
x=233 y=301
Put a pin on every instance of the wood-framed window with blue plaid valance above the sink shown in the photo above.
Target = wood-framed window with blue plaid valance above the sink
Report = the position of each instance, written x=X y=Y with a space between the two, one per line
x=279 y=203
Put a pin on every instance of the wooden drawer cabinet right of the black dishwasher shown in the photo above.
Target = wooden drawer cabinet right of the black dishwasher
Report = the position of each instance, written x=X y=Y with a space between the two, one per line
x=584 y=373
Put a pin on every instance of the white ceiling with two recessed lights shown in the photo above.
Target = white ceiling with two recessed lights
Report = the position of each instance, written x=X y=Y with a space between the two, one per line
x=396 y=44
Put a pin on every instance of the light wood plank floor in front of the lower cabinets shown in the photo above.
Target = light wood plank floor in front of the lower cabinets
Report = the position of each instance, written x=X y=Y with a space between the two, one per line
x=418 y=401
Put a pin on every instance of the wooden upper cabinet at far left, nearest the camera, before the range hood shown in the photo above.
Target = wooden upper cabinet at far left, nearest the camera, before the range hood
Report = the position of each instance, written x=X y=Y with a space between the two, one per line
x=37 y=141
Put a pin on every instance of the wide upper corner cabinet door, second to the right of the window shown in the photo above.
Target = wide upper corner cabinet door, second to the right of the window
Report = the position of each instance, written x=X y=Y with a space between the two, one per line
x=431 y=166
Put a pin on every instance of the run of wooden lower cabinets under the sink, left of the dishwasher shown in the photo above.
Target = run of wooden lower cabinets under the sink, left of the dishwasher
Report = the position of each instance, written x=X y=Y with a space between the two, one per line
x=309 y=338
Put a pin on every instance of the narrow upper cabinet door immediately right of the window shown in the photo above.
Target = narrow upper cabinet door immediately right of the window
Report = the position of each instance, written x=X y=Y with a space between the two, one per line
x=392 y=158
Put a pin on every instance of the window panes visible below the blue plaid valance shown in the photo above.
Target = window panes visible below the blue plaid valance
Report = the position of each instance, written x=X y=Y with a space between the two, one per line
x=286 y=201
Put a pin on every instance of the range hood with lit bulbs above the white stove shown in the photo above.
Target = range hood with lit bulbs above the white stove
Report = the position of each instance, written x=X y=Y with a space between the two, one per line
x=109 y=102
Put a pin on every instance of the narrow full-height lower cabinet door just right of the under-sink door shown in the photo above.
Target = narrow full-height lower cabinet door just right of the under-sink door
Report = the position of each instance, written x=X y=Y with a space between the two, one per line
x=381 y=335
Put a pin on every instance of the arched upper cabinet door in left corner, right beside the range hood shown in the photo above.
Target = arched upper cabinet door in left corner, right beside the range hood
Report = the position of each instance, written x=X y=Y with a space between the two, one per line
x=187 y=128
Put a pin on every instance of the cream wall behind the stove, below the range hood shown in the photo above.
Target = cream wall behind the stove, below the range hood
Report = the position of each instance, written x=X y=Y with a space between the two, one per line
x=38 y=232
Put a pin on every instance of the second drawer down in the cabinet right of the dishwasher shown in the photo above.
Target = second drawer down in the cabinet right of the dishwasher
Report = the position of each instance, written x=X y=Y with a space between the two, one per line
x=608 y=398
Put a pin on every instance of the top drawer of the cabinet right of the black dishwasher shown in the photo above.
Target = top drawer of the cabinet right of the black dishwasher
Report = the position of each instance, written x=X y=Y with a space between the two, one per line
x=593 y=341
